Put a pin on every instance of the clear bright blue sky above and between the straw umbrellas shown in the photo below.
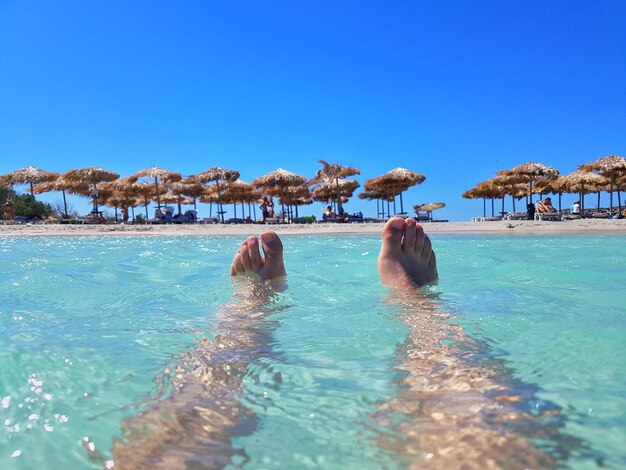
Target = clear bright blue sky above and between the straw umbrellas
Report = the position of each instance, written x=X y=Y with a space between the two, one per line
x=455 y=90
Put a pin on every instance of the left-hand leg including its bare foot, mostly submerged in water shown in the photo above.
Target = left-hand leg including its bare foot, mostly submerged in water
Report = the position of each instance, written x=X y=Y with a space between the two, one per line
x=192 y=427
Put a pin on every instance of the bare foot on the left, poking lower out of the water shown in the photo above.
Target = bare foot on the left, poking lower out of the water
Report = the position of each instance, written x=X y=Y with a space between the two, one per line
x=248 y=259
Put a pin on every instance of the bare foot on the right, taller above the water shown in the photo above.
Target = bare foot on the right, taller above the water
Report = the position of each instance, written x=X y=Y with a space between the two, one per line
x=406 y=257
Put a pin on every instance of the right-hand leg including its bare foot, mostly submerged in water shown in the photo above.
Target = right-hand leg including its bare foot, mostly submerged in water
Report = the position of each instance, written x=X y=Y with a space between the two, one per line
x=460 y=413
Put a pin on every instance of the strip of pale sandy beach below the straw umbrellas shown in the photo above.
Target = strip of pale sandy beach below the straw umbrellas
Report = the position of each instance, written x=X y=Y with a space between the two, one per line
x=524 y=227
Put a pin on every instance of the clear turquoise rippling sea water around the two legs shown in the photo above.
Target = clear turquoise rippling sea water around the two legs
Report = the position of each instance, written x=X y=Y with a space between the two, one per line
x=88 y=324
